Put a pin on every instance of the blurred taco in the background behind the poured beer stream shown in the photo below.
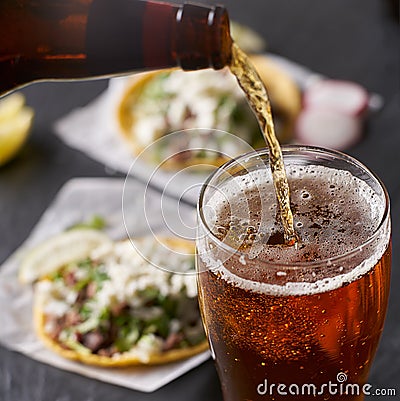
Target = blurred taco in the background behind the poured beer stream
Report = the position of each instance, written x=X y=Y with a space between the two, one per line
x=157 y=103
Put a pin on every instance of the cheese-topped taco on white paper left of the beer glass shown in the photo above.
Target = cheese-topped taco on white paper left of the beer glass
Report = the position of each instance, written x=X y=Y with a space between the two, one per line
x=114 y=308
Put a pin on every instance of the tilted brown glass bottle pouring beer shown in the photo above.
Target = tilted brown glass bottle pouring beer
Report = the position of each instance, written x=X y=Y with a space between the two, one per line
x=72 y=39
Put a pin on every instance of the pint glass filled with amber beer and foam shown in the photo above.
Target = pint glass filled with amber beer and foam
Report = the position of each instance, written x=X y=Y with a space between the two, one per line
x=294 y=322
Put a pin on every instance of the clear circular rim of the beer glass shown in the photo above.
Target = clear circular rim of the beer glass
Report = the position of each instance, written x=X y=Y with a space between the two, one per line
x=299 y=149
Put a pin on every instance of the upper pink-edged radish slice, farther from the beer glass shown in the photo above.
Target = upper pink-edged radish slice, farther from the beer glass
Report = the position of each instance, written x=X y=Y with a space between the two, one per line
x=342 y=96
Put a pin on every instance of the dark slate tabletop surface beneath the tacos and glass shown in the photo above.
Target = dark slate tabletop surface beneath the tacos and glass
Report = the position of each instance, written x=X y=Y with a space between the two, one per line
x=344 y=39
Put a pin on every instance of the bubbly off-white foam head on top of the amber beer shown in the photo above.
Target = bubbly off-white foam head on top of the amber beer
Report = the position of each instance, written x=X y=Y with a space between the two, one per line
x=335 y=213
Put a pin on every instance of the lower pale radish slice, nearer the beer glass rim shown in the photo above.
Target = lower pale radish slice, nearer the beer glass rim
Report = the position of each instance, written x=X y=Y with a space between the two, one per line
x=327 y=128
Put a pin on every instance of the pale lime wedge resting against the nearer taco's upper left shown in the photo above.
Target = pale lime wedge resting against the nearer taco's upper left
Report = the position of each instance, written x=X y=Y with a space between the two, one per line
x=51 y=255
